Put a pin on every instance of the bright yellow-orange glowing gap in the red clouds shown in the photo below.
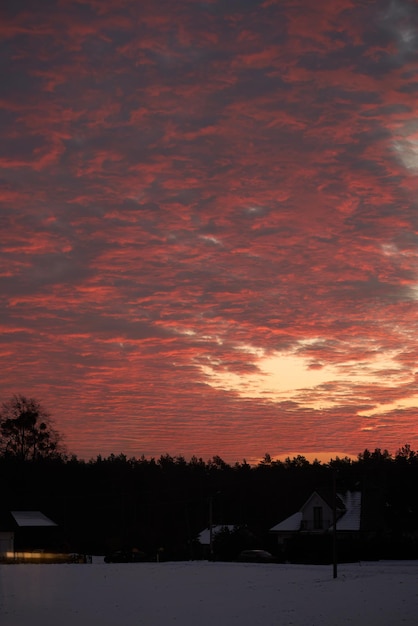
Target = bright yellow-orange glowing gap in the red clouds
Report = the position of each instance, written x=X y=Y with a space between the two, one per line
x=289 y=376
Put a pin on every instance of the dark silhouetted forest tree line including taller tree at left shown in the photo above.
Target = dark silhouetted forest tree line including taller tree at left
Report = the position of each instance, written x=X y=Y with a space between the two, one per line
x=160 y=505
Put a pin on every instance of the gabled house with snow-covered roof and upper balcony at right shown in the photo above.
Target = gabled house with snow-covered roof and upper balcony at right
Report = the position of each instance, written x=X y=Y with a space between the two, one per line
x=307 y=533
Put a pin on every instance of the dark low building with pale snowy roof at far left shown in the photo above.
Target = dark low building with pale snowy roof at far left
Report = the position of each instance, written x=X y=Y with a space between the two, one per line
x=26 y=531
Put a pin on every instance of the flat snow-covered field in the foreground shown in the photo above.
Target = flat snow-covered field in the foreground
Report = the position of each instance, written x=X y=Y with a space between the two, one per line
x=209 y=594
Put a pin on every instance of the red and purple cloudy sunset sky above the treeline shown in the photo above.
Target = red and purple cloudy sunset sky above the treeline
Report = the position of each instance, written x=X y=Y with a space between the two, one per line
x=209 y=223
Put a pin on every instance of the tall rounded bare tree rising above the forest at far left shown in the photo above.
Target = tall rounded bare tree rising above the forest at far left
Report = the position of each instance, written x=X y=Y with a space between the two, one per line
x=26 y=432
